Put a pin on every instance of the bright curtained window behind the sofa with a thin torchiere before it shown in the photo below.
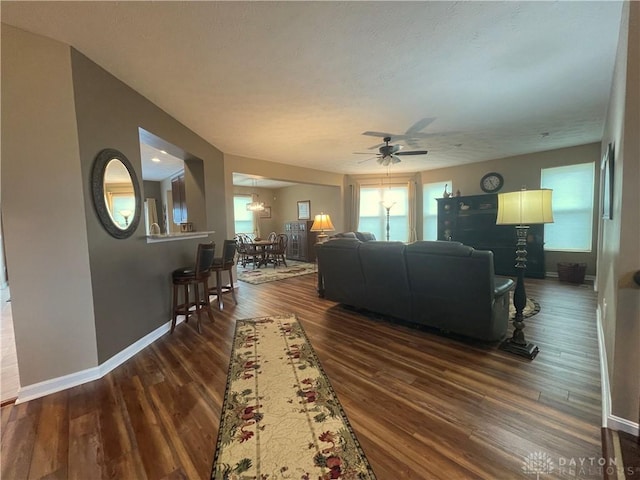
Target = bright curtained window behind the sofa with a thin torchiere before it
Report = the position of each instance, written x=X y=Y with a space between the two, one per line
x=373 y=215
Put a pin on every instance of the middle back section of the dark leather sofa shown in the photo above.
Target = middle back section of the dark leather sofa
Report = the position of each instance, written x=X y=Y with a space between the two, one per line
x=386 y=283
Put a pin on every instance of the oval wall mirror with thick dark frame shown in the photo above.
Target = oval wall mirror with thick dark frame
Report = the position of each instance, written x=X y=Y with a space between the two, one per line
x=116 y=193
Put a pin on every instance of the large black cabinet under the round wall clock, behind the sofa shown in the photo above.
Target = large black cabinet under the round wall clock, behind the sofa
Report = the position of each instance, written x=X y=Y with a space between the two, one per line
x=472 y=221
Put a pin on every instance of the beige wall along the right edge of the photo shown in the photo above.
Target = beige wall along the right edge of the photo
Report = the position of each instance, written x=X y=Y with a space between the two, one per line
x=618 y=295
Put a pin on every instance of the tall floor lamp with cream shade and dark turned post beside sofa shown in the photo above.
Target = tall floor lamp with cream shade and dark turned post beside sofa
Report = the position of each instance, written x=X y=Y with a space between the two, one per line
x=523 y=208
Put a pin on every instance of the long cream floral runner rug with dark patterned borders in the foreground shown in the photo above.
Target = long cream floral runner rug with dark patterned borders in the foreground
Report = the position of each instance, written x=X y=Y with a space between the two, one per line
x=281 y=417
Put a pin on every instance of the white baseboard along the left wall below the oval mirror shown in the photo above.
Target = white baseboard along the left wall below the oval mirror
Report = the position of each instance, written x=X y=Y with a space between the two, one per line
x=37 y=390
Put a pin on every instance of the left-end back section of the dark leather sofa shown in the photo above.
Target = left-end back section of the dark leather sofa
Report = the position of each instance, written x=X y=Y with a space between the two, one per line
x=340 y=271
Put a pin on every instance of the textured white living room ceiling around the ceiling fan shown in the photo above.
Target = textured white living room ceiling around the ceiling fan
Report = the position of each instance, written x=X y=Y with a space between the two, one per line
x=300 y=82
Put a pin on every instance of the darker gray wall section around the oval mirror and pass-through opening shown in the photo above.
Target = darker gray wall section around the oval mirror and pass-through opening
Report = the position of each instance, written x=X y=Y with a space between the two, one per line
x=131 y=278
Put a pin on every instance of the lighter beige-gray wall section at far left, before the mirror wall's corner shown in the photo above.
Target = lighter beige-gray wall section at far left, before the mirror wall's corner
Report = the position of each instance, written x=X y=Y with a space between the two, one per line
x=44 y=211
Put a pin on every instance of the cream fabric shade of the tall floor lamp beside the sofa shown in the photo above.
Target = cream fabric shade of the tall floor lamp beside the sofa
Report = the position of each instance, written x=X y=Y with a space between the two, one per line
x=525 y=207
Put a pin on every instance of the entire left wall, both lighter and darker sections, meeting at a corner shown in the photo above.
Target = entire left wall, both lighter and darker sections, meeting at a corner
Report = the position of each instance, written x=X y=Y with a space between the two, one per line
x=80 y=296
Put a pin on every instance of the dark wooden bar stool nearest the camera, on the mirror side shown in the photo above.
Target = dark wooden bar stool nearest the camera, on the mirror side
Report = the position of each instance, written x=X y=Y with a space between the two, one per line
x=195 y=276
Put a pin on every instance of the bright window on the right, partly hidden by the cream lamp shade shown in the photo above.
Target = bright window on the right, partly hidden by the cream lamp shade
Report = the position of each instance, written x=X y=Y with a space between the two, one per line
x=573 y=187
